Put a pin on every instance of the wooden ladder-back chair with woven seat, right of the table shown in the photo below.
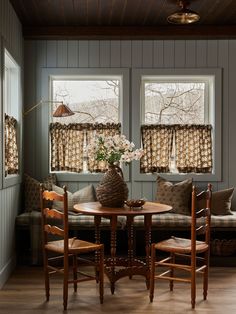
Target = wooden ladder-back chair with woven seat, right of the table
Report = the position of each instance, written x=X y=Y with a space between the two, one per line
x=189 y=255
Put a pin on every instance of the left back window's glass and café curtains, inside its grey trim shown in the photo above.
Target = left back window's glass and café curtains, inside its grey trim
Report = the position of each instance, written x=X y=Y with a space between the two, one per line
x=95 y=102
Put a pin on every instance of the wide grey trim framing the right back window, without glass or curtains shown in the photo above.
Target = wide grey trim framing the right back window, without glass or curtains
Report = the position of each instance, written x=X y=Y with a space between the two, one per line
x=137 y=75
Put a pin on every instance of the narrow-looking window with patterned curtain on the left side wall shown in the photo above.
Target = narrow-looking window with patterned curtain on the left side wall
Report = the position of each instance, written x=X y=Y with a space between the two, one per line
x=12 y=103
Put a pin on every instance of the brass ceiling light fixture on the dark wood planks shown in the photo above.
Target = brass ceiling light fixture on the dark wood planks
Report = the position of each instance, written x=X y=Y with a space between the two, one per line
x=184 y=15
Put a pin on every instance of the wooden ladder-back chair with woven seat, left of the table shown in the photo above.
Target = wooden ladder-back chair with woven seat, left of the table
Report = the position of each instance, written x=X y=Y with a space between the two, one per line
x=55 y=223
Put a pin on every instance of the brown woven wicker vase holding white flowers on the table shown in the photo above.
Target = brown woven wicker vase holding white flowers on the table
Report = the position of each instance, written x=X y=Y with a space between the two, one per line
x=112 y=190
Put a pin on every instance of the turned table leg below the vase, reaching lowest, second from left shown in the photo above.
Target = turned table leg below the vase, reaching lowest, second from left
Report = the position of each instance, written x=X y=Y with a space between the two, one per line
x=113 y=252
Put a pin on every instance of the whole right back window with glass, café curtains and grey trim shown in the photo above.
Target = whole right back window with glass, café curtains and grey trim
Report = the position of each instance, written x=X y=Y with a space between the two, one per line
x=178 y=120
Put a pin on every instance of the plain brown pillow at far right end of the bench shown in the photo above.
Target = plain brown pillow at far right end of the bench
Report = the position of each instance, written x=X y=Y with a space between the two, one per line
x=221 y=202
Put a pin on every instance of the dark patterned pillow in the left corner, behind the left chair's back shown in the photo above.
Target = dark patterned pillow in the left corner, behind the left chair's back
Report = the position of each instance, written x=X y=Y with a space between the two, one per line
x=32 y=191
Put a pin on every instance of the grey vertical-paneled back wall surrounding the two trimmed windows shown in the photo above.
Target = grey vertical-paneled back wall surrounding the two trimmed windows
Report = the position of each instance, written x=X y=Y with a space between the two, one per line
x=133 y=54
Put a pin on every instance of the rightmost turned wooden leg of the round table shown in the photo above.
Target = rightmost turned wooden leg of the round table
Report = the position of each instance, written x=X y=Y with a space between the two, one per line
x=148 y=224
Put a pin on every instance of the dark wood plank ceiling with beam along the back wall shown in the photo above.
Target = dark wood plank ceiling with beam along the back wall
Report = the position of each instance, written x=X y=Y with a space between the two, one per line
x=123 y=19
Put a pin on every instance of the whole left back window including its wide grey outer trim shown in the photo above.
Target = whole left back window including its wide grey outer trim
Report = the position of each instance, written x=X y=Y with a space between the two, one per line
x=99 y=100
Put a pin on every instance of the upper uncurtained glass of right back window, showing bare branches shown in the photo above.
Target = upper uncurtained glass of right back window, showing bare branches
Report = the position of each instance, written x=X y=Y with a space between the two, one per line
x=174 y=103
